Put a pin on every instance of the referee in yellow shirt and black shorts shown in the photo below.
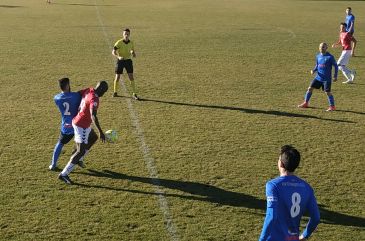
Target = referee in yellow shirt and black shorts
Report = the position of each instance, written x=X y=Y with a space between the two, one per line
x=124 y=50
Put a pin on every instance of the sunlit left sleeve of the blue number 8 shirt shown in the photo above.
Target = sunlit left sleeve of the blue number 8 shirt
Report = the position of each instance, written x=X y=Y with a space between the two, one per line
x=271 y=211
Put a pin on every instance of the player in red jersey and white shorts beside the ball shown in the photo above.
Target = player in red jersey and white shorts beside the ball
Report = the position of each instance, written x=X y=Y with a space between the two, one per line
x=82 y=126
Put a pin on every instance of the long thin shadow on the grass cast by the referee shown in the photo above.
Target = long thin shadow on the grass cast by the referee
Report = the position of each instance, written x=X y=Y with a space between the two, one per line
x=246 y=110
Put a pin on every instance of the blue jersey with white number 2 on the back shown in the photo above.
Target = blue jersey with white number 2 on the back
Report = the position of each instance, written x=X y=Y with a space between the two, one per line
x=68 y=104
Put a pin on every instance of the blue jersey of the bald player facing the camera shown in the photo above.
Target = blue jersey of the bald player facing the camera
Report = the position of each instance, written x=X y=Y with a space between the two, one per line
x=324 y=63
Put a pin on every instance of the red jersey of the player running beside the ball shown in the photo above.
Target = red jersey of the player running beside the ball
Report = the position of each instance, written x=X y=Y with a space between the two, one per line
x=89 y=102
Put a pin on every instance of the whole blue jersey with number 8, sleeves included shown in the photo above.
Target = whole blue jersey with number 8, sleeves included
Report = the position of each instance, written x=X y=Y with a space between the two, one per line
x=288 y=197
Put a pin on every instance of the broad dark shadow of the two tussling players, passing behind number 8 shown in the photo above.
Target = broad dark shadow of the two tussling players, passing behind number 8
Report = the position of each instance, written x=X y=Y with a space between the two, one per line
x=209 y=193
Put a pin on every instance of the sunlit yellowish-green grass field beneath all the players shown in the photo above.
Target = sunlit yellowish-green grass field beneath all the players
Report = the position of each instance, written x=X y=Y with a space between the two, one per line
x=220 y=82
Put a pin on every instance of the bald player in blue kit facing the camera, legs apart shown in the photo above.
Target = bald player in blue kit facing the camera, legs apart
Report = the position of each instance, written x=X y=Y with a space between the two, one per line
x=324 y=63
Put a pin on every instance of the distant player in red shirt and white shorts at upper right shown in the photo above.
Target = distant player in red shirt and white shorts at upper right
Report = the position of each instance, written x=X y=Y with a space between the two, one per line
x=345 y=41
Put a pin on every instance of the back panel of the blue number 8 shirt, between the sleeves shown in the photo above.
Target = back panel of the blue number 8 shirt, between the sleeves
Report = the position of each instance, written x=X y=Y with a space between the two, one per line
x=293 y=197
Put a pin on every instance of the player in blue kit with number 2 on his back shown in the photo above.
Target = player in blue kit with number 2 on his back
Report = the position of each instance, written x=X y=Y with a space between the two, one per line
x=68 y=104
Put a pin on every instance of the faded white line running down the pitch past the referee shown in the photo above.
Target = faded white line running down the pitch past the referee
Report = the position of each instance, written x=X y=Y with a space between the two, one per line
x=149 y=160
